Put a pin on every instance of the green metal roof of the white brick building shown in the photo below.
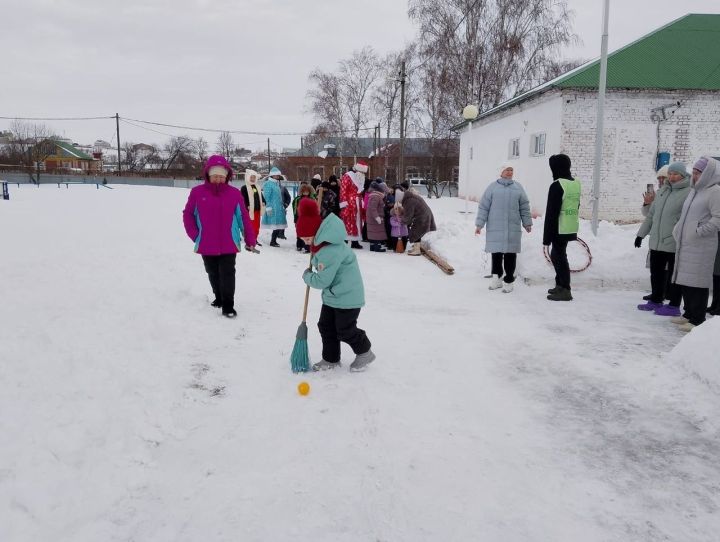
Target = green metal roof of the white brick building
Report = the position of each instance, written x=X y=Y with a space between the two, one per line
x=684 y=54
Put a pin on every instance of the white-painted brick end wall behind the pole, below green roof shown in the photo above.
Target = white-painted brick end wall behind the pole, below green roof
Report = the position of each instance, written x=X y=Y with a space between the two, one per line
x=631 y=142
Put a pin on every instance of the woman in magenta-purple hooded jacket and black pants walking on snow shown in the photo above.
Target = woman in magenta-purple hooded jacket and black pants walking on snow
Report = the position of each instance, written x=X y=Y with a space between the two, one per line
x=216 y=218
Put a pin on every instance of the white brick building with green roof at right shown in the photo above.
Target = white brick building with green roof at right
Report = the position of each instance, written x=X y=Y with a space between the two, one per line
x=662 y=103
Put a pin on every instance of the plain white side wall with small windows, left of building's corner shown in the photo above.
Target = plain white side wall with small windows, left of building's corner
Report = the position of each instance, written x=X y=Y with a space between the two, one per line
x=485 y=146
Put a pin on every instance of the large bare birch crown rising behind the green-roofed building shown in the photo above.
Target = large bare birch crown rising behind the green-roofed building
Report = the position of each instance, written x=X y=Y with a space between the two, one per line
x=495 y=49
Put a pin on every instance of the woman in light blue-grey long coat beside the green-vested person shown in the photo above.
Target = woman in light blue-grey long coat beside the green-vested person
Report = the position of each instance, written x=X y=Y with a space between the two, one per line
x=503 y=209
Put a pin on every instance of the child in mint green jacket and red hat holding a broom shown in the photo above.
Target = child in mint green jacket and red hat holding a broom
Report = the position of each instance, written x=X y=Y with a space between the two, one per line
x=337 y=274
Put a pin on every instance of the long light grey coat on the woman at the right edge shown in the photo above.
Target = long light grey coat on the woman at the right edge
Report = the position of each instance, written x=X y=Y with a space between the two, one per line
x=696 y=232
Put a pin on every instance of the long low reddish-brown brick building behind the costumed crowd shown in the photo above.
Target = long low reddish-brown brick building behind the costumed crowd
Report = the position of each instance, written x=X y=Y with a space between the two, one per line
x=422 y=159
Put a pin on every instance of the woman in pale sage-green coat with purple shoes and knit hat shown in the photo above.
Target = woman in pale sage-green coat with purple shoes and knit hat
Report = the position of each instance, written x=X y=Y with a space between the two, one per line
x=661 y=219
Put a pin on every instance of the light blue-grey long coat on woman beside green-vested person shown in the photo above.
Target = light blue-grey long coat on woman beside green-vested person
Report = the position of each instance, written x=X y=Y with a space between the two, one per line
x=502 y=211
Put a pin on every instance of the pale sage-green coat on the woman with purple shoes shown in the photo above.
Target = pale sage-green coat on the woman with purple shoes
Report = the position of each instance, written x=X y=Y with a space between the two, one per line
x=663 y=215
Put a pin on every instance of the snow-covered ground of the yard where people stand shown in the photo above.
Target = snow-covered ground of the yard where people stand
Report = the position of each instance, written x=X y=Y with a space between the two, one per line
x=131 y=411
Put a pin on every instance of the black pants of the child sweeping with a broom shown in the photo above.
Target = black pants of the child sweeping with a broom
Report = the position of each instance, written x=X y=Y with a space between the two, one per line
x=337 y=325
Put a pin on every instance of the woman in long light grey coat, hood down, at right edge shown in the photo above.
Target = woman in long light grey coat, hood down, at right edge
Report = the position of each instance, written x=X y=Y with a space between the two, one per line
x=696 y=234
